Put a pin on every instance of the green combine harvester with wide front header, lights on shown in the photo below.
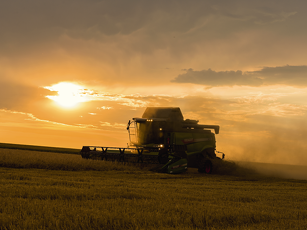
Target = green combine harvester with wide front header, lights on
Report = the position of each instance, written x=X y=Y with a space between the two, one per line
x=163 y=137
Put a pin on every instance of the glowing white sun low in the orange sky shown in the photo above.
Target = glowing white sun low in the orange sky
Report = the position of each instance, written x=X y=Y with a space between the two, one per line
x=69 y=94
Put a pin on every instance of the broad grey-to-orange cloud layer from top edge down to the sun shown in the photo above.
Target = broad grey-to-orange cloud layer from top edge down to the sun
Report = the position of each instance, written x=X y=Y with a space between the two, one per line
x=120 y=42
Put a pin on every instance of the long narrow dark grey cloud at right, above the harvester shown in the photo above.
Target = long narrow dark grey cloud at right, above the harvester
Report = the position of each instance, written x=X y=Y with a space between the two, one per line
x=280 y=75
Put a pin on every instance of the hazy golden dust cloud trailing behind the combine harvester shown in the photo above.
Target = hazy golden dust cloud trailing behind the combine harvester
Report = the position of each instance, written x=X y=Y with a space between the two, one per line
x=279 y=151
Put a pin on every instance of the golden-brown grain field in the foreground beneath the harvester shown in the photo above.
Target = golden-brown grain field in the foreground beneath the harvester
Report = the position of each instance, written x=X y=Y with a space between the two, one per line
x=44 y=190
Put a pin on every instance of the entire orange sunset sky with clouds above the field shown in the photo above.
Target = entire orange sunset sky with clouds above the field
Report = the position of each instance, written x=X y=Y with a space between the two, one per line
x=73 y=73
